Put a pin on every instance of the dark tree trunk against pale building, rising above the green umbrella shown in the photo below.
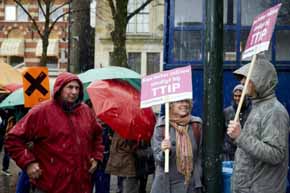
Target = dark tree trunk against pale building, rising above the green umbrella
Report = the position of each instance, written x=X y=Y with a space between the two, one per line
x=119 y=55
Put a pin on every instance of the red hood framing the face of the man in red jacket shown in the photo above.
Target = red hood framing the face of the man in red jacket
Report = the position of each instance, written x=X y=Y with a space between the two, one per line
x=64 y=78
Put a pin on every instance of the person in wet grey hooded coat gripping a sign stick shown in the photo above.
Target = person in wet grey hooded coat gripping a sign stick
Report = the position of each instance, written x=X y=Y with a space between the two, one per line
x=261 y=159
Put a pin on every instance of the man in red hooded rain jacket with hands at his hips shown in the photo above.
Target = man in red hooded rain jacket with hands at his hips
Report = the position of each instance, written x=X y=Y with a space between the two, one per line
x=65 y=141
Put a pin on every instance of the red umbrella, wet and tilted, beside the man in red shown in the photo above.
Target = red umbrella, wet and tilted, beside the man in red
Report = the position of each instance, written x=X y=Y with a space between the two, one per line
x=117 y=103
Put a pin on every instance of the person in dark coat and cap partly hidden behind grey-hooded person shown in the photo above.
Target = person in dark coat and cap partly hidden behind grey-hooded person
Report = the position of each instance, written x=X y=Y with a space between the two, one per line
x=229 y=148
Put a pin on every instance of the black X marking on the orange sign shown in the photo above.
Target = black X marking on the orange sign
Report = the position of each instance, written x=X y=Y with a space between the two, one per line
x=35 y=84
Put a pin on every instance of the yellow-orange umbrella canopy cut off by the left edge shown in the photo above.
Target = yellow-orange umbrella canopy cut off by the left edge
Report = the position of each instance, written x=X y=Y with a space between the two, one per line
x=9 y=75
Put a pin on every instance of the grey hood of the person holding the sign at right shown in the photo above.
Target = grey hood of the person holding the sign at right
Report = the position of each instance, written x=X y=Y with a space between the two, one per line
x=264 y=76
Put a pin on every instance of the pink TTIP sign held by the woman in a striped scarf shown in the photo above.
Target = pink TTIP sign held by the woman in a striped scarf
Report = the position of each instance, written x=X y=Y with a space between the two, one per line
x=166 y=86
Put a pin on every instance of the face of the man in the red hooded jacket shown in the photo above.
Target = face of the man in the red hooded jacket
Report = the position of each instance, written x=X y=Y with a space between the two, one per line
x=70 y=91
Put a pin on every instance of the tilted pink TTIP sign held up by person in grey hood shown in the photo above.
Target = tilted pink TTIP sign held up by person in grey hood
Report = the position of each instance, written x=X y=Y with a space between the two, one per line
x=261 y=31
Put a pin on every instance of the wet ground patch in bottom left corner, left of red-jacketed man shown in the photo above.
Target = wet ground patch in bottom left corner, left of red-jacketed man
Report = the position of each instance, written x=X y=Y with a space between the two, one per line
x=8 y=183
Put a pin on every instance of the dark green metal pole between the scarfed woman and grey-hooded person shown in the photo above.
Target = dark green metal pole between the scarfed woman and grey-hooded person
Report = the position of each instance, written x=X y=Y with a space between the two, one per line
x=213 y=96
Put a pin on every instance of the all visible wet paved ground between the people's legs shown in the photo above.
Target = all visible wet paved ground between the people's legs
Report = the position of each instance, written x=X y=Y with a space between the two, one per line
x=8 y=183
